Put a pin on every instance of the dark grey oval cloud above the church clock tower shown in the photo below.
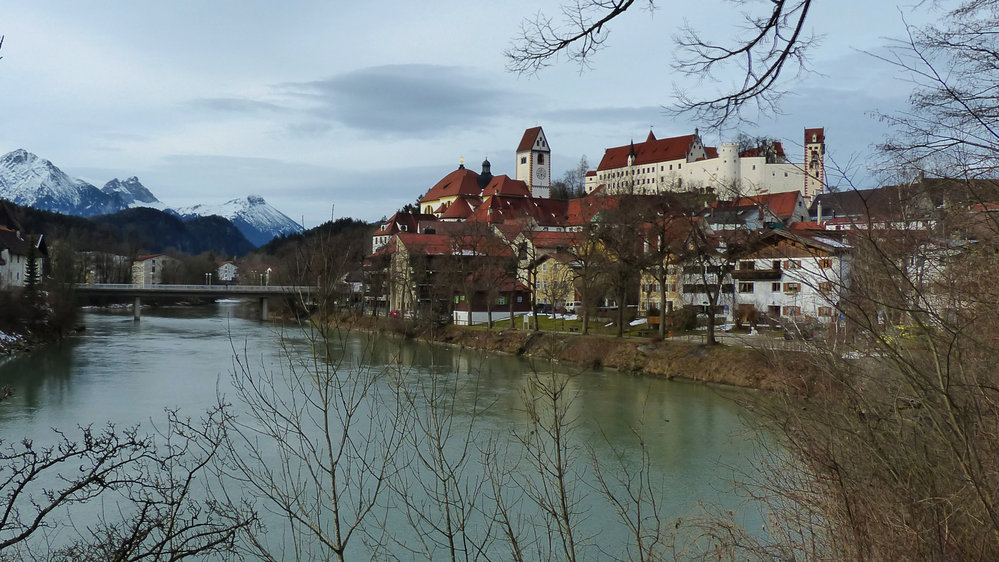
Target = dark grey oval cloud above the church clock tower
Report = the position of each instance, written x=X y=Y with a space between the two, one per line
x=410 y=100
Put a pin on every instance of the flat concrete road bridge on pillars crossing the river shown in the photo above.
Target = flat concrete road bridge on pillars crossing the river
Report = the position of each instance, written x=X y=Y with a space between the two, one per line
x=263 y=292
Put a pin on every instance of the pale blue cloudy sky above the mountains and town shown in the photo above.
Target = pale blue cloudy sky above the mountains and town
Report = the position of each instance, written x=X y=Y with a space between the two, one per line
x=330 y=109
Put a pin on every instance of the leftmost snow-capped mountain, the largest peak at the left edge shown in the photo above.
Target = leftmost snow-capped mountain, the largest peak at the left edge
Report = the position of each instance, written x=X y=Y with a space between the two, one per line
x=28 y=180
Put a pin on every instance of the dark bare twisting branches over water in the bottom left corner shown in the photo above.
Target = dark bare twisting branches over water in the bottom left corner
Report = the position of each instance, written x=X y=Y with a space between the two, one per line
x=154 y=487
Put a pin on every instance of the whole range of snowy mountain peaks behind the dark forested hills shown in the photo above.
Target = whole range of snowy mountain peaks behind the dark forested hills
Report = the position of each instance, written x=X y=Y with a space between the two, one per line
x=27 y=180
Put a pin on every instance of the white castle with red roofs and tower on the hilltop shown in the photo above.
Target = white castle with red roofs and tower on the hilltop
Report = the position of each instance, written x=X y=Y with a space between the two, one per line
x=684 y=164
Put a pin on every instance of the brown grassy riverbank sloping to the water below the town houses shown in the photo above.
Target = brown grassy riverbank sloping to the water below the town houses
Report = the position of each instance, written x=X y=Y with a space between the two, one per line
x=736 y=366
